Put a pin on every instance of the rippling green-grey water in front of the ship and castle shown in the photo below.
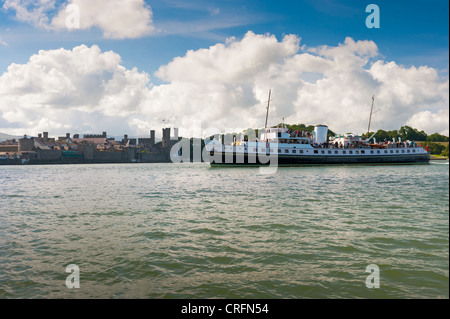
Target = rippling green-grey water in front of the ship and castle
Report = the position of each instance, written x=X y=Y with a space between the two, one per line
x=190 y=231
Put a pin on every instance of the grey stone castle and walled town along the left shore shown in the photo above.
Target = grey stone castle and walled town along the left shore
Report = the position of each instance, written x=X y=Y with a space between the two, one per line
x=91 y=148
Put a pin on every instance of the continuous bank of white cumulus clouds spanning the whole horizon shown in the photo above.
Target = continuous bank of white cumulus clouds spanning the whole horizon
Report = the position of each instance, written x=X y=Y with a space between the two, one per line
x=224 y=86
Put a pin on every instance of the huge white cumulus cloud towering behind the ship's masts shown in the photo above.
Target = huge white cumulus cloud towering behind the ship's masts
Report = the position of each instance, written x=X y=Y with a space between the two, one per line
x=226 y=86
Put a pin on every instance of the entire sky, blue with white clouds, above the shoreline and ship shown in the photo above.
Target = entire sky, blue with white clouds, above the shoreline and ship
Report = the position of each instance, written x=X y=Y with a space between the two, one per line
x=128 y=66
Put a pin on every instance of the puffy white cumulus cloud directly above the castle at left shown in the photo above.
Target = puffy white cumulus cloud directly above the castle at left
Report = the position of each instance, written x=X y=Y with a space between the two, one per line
x=70 y=87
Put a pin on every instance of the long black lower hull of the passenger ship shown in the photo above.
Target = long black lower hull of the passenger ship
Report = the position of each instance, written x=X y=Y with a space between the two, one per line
x=219 y=159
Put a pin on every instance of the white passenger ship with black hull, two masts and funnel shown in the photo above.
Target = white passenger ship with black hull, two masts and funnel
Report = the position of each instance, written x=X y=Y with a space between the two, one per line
x=304 y=148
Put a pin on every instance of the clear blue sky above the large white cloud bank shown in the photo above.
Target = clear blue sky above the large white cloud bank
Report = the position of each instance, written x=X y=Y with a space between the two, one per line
x=411 y=32
